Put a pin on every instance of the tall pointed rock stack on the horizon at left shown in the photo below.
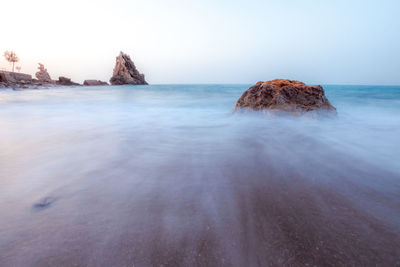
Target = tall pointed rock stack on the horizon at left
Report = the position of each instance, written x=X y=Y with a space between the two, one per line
x=125 y=72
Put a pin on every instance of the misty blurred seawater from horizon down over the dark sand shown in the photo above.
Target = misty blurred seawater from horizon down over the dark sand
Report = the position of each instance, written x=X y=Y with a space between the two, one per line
x=167 y=175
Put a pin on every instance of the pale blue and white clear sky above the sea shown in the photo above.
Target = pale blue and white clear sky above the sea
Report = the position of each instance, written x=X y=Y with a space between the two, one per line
x=208 y=41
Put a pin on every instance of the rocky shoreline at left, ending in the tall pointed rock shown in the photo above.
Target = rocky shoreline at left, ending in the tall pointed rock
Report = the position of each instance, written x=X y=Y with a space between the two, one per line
x=125 y=72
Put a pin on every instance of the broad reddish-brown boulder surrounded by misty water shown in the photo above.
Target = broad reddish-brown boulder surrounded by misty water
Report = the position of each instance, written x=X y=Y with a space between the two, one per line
x=284 y=95
